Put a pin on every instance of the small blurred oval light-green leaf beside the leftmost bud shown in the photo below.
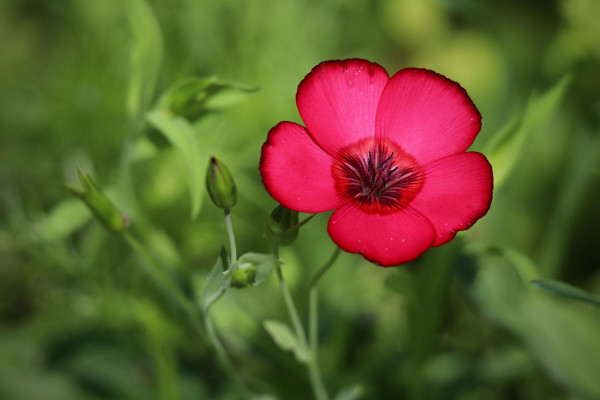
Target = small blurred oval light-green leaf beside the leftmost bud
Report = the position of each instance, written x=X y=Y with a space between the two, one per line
x=65 y=218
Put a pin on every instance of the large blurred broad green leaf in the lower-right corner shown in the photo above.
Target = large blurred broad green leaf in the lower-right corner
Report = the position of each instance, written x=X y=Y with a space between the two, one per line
x=561 y=335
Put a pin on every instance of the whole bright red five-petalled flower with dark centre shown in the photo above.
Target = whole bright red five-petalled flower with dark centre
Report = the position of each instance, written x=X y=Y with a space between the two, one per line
x=387 y=154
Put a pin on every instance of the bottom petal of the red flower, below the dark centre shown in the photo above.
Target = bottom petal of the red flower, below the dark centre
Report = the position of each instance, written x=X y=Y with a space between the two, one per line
x=387 y=240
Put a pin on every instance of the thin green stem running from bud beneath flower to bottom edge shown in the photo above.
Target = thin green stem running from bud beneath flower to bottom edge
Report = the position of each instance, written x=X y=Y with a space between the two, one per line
x=311 y=364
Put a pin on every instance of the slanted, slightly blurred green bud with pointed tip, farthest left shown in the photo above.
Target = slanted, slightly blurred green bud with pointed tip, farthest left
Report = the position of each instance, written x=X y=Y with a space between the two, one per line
x=104 y=209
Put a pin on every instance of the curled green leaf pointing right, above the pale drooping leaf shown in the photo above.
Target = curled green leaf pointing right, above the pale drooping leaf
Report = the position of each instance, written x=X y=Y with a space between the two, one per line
x=192 y=97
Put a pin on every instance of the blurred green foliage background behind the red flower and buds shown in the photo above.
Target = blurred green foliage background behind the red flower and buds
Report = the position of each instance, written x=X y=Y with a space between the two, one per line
x=79 y=319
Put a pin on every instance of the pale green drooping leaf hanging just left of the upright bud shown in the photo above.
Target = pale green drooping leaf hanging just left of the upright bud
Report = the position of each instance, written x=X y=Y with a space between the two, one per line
x=180 y=134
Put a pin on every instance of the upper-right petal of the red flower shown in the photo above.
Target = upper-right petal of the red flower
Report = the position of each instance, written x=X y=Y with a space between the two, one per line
x=427 y=114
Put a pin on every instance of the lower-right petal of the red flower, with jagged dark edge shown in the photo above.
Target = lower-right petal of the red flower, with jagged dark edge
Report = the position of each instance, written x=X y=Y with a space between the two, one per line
x=456 y=193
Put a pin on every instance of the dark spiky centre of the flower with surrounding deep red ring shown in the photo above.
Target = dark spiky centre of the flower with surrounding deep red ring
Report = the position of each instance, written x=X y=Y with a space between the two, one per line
x=378 y=175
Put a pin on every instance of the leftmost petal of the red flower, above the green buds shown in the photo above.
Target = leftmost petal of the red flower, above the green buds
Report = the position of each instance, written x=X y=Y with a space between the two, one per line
x=297 y=172
